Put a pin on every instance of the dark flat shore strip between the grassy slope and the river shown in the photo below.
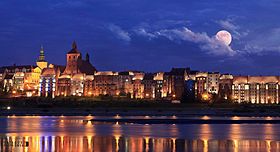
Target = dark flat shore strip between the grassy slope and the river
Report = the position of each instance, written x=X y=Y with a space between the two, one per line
x=179 y=112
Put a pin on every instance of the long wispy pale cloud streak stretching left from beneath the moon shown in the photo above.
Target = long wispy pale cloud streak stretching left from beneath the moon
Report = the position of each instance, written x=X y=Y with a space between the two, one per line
x=209 y=44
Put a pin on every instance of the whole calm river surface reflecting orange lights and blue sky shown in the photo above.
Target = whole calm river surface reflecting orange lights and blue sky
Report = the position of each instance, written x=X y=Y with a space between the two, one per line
x=74 y=134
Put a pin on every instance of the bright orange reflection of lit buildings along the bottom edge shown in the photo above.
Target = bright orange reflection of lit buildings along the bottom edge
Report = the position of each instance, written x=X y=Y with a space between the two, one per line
x=132 y=144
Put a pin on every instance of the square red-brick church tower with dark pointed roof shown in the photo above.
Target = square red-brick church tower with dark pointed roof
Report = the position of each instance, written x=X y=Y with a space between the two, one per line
x=73 y=57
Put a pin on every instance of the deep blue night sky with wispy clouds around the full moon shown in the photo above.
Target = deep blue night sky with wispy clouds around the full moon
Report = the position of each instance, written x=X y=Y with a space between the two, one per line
x=148 y=35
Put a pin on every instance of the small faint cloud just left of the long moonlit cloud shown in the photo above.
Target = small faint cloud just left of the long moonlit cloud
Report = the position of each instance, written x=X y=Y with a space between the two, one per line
x=120 y=33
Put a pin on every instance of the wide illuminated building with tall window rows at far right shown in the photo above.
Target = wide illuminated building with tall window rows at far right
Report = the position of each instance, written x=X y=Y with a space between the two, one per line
x=256 y=89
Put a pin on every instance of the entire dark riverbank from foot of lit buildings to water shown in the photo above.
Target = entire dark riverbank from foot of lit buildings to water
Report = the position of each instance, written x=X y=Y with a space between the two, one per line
x=111 y=107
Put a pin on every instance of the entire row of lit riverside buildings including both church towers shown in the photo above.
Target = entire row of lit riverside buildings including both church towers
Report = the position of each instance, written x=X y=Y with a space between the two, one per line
x=80 y=78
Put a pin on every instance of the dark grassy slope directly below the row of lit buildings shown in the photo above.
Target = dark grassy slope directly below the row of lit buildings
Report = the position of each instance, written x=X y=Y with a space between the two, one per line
x=99 y=102
